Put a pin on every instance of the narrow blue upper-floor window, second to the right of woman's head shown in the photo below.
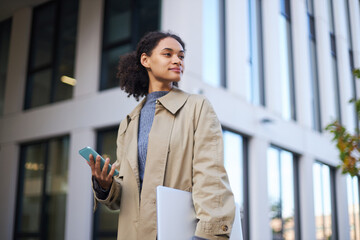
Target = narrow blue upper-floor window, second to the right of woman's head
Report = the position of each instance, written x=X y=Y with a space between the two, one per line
x=256 y=84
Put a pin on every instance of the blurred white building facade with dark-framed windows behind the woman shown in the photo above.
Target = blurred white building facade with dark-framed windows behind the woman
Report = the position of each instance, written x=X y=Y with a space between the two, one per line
x=276 y=71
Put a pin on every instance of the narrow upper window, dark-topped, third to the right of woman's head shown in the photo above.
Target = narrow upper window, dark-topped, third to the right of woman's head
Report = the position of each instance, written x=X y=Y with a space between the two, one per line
x=286 y=63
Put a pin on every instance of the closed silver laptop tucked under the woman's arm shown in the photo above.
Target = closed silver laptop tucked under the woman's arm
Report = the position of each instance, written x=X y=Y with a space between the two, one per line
x=176 y=218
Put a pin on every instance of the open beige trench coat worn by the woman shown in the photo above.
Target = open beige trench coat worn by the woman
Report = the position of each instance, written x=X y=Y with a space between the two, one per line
x=185 y=151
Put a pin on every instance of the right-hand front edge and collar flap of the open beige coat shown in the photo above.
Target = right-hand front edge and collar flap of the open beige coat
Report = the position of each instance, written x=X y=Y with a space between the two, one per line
x=156 y=159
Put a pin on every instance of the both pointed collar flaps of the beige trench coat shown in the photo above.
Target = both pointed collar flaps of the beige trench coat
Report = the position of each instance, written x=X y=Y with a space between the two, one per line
x=172 y=101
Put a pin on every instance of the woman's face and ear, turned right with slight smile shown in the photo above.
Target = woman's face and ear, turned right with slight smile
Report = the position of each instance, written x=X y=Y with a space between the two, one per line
x=166 y=63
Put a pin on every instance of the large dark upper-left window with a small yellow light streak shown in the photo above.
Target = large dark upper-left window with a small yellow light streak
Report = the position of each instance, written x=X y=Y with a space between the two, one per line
x=52 y=53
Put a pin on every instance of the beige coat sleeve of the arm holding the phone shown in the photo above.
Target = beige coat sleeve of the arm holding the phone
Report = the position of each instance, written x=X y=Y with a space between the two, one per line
x=113 y=199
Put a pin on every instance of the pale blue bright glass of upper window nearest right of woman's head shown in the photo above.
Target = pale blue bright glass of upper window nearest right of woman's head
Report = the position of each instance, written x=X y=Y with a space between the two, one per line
x=211 y=43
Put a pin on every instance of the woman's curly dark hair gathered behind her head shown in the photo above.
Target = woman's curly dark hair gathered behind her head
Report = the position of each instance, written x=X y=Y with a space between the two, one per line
x=132 y=75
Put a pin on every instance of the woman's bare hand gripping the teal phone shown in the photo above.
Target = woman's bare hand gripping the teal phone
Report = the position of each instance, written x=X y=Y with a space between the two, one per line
x=101 y=176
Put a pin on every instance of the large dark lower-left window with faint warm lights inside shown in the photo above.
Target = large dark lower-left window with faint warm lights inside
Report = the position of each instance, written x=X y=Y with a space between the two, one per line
x=42 y=190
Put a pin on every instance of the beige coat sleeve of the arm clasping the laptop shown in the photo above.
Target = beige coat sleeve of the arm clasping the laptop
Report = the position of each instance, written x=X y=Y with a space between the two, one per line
x=213 y=200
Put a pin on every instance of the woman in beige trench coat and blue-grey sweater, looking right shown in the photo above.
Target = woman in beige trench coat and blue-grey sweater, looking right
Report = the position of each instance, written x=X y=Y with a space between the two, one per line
x=179 y=138
